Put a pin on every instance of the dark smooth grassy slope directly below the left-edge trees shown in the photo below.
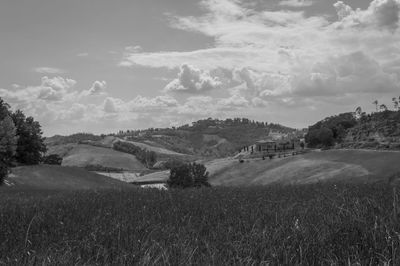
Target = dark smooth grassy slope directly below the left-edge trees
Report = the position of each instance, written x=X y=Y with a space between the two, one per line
x=58 y=177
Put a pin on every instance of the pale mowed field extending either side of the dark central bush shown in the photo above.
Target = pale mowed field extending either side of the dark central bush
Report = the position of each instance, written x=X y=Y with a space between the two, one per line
x=312 y=167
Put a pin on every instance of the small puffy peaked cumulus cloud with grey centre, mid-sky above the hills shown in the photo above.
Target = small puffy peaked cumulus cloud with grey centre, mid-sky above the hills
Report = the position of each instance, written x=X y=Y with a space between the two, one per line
x=192 y=80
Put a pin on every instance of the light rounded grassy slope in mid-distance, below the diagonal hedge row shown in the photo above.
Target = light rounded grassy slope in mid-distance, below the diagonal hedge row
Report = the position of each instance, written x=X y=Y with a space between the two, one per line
x=82 y=155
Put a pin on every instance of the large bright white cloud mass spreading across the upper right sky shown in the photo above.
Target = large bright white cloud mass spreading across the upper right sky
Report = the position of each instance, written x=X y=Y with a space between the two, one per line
x=286 y=57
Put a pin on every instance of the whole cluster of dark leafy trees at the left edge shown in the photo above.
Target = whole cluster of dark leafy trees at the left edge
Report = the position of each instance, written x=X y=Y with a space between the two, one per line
x=21 y=139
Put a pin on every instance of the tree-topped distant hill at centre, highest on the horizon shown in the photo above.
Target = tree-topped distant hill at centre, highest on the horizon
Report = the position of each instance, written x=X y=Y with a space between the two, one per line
x=208 y=137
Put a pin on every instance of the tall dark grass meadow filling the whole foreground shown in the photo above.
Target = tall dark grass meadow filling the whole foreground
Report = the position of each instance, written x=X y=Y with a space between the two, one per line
x=293 y=225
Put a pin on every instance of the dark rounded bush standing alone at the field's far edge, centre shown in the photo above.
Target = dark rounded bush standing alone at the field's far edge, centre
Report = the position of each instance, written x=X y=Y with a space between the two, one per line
x=188 y=175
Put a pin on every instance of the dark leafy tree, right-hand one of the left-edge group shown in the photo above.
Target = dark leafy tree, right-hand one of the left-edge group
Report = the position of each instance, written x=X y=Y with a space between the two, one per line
x=31 y=147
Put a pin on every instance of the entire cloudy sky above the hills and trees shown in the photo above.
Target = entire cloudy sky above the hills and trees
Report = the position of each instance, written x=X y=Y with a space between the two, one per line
x=101 y=66
